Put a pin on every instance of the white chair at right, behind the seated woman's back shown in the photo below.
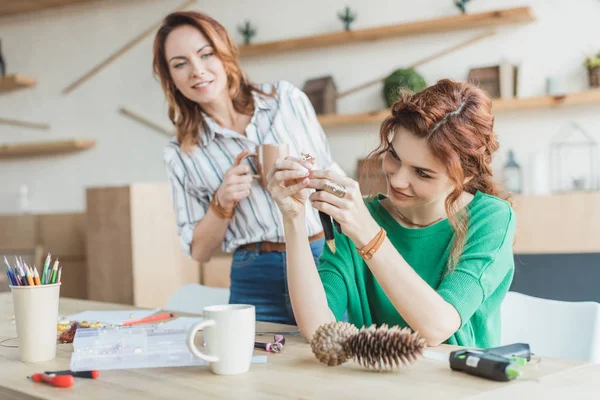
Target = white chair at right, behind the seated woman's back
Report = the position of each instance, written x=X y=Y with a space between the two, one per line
x=552 y=328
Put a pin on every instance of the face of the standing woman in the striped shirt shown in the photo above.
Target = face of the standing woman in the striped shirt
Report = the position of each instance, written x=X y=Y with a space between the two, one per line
x=194 y=67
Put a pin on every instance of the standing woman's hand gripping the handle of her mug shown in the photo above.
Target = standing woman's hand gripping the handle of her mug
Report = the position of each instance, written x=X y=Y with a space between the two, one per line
x=236 y=184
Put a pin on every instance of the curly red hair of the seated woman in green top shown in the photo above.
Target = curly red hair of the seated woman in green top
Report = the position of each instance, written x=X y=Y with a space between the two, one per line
x=455 y=118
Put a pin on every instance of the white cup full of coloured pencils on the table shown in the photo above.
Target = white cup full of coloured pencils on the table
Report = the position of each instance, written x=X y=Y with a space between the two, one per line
x=35 y=302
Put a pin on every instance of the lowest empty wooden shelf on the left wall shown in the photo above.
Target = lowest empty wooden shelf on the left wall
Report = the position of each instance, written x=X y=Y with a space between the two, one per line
x=44 y=148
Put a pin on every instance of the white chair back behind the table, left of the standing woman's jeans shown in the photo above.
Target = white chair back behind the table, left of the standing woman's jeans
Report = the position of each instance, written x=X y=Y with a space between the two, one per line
x=192 y=298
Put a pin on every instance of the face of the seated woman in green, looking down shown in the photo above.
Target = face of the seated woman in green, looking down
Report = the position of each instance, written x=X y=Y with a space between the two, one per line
x=415 y=178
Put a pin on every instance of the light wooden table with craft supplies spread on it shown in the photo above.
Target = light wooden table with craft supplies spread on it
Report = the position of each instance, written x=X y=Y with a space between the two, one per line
x=295 y=374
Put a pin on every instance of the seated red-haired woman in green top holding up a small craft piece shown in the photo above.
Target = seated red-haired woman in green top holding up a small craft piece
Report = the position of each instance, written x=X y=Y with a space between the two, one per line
x=446 y=263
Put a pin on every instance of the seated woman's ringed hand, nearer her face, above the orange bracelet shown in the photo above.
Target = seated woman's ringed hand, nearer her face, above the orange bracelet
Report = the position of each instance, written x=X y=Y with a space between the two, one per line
x=349 y=211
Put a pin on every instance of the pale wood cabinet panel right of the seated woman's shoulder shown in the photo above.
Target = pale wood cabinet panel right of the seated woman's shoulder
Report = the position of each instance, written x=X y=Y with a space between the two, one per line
x=562 y=223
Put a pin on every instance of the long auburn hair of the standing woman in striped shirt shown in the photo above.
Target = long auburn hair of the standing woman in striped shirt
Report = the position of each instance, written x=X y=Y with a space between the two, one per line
x=185 y=114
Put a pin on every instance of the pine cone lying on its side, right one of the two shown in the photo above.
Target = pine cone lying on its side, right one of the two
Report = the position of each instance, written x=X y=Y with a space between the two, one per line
x=384 y=348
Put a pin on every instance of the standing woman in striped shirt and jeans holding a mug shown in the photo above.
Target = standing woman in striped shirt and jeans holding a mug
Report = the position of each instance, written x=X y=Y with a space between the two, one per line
x=219 y=117
